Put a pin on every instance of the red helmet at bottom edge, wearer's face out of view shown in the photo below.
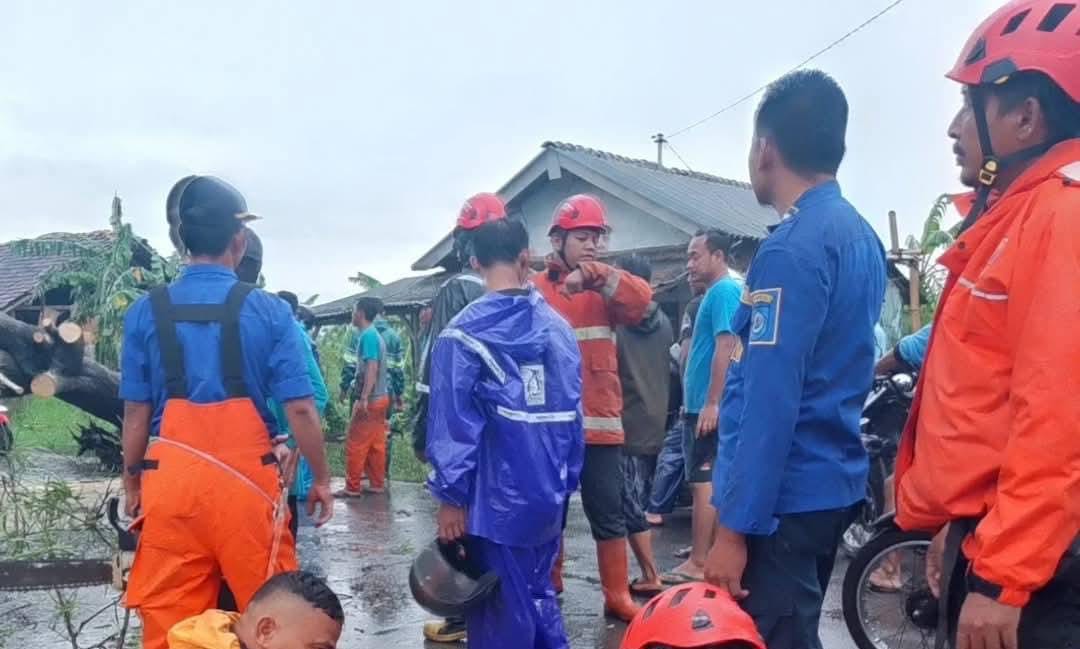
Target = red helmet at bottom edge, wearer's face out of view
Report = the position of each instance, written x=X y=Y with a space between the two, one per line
x=692 y=617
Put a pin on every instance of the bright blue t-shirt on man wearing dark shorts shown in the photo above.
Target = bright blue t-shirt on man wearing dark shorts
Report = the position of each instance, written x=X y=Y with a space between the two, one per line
x=714 y=318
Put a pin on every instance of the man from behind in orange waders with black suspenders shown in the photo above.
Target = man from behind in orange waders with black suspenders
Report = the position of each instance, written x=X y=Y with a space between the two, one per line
x=200 y=359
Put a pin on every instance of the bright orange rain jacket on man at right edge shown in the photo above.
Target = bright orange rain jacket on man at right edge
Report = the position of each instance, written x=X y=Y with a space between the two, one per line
x=995 y=429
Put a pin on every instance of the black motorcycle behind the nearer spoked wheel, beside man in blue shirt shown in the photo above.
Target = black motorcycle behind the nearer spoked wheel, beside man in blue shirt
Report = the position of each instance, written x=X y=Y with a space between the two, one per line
x=885 y=414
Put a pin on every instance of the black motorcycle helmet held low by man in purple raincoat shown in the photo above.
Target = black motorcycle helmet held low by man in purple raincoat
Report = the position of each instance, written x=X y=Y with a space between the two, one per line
x=447 y=583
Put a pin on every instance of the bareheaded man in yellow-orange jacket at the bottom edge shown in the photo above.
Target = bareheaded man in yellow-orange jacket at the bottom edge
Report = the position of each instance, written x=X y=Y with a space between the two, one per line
x=292 y=611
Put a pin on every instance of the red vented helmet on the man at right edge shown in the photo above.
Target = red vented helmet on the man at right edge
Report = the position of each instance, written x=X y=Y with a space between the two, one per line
x=1025 y=35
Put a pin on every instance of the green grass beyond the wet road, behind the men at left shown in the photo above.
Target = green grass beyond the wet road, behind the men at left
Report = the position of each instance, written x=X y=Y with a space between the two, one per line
x=49 y=424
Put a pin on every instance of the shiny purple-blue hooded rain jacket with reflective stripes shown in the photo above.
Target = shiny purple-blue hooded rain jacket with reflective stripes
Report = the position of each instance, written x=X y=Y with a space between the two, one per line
x=505 y=424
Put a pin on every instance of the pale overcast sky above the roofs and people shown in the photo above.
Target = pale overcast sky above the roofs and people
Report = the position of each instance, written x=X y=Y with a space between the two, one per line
x=358 y=129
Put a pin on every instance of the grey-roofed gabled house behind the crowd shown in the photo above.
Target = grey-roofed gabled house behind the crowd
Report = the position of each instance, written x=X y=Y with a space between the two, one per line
x=654 y=211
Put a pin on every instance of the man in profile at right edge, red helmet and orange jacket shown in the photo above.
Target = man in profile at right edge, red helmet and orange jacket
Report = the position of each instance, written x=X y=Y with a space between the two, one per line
x=991 y=455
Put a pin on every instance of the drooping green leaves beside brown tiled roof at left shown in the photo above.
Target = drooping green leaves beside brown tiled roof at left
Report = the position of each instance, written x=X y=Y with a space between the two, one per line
x=104 y=280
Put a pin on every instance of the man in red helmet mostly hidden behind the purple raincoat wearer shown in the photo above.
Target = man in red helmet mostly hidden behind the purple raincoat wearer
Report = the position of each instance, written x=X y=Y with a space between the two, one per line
x=453 y=296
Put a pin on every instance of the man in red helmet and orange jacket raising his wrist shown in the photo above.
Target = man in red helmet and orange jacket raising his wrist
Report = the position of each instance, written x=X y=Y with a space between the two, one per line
x=595 y=299
